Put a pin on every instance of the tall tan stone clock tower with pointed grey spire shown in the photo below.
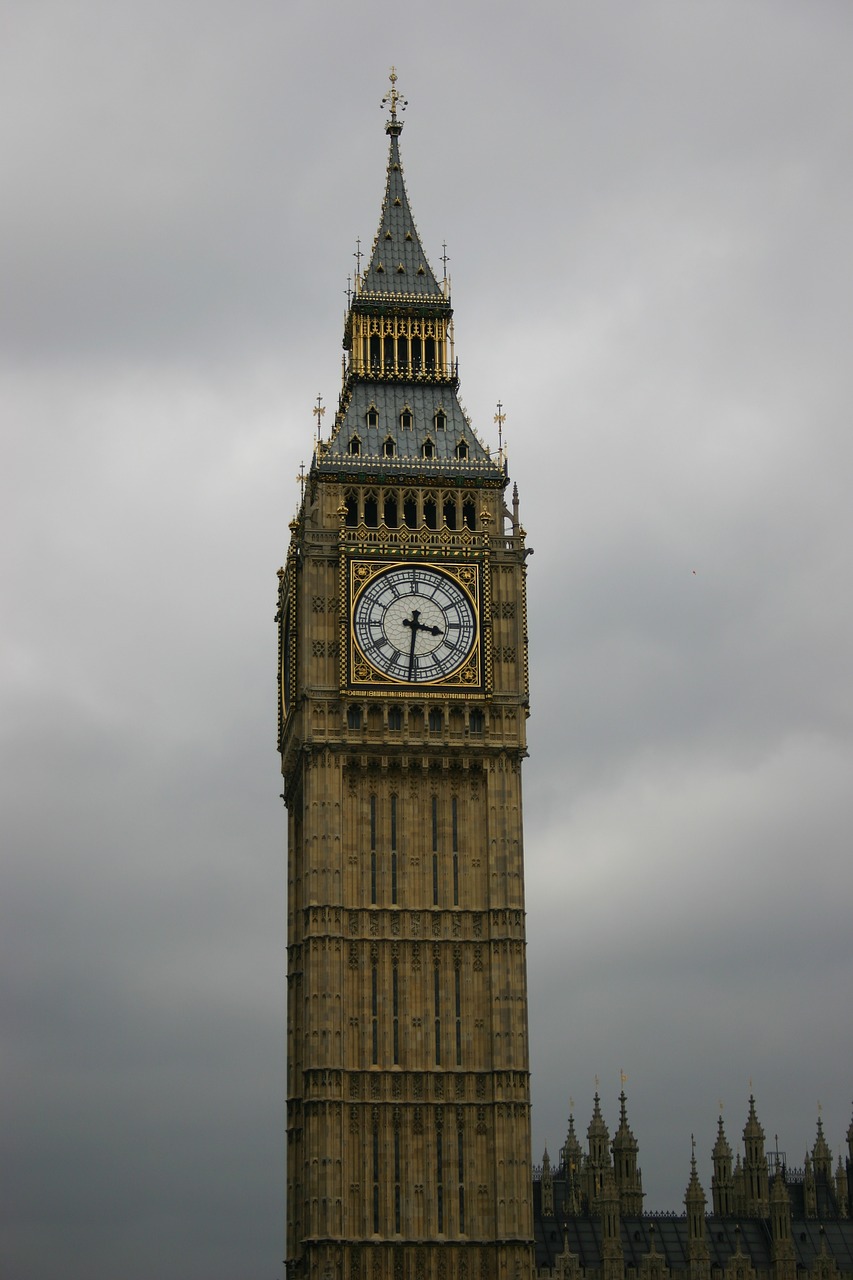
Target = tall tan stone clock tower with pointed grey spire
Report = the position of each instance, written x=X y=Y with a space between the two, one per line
x=403 y=720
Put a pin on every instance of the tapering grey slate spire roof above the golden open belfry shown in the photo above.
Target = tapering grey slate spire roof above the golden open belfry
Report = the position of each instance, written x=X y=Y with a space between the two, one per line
x=398 y=264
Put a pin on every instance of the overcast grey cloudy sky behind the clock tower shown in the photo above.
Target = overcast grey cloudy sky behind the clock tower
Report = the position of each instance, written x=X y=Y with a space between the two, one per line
x=649 y=209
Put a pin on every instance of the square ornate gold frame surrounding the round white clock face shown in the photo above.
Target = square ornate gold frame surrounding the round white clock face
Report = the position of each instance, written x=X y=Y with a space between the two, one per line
x=359 y=675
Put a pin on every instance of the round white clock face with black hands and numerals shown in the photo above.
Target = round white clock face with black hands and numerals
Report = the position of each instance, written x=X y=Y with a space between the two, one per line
x=414 y=624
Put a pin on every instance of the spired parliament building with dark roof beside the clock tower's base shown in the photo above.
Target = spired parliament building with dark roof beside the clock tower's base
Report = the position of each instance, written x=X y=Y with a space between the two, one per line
x=768 y=1222
